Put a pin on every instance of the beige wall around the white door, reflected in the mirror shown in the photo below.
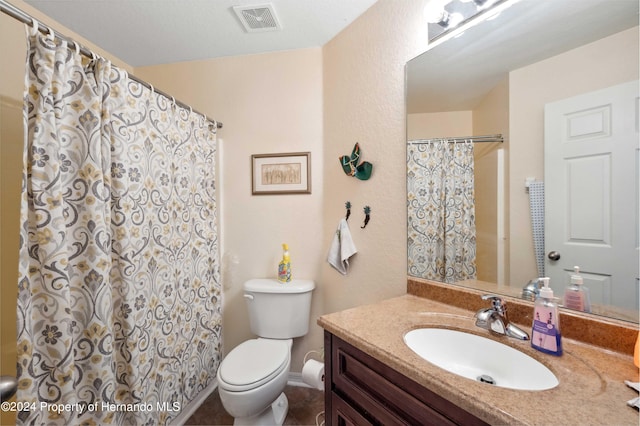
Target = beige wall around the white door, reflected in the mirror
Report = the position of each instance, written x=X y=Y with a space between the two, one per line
x=601 y=64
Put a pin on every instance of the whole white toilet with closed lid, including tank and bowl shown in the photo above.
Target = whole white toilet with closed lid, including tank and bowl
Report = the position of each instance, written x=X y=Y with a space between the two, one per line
x=252 y=377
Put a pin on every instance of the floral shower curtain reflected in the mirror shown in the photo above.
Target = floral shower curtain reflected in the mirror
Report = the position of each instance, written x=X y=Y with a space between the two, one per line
x=441 y=212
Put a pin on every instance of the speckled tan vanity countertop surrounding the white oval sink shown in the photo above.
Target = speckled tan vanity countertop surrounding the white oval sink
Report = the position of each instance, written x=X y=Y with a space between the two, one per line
x=591 y=389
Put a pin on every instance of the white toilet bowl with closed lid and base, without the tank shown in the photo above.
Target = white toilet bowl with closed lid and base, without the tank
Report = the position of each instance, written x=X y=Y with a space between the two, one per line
x=251 y=379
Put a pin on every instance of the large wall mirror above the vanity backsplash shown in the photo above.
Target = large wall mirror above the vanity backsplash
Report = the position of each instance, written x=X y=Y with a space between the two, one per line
x=558 y=81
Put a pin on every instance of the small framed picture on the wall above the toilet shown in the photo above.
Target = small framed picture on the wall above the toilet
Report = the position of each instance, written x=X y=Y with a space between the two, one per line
x=281 y=173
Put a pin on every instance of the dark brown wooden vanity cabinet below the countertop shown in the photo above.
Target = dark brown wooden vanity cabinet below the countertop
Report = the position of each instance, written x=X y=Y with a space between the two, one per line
x=360 y=390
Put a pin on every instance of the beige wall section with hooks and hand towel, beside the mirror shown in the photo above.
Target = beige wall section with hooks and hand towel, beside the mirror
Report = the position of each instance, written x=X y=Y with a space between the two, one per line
x=364 y=102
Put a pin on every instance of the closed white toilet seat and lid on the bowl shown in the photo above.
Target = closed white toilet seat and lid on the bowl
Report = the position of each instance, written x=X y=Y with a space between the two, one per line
x=253 y=363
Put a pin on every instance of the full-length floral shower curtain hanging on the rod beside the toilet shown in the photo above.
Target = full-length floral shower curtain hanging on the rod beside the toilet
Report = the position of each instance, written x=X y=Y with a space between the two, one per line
x=119 y=317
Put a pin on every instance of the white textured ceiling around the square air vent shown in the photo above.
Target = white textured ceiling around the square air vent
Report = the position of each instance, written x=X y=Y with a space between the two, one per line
x=152 y=32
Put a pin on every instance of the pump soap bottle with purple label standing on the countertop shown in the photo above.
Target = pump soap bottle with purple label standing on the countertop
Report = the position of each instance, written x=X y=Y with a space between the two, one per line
x=545 y=333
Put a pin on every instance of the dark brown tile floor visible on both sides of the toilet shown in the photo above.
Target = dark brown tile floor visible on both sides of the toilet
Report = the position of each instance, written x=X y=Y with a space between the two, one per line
x=304 y=405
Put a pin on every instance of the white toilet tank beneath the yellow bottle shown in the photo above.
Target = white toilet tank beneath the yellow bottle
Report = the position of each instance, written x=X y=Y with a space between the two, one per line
x=279 y=310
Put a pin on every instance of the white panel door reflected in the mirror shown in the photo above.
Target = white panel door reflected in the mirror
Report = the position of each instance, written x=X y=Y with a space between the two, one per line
x=592 y=139
